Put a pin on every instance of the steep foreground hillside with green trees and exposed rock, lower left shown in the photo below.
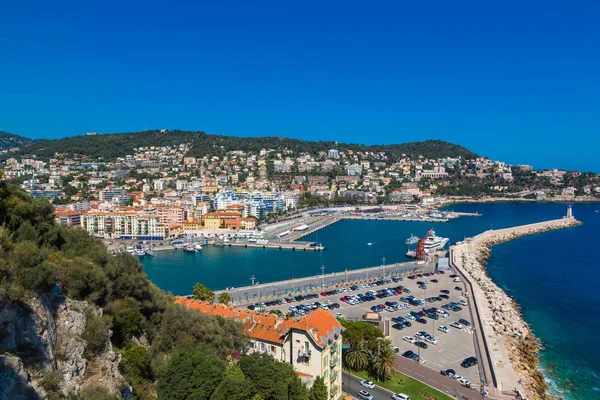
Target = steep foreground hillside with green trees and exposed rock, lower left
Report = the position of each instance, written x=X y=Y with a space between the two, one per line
x=78 y=323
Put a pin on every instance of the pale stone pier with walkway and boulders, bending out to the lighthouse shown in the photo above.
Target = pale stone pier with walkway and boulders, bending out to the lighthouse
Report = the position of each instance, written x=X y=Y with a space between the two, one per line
x=498 y=327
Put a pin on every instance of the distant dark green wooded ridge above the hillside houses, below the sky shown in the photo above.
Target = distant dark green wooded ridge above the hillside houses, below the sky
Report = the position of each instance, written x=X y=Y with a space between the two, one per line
x=110 y=146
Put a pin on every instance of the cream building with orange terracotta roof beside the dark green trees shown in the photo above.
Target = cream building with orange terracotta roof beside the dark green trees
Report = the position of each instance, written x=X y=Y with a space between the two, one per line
x=311 y=344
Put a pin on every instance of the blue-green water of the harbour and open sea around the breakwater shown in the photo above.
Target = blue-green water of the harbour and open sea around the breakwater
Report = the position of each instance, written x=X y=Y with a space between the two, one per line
x=553 y=276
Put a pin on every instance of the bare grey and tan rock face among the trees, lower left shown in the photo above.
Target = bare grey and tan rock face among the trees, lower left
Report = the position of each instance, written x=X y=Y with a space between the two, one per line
x=43 y=335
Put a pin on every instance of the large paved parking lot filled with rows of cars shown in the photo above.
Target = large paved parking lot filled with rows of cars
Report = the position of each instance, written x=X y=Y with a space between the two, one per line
x=451 y=348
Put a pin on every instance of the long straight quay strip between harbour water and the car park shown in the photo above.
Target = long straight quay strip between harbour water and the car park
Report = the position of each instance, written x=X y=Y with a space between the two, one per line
x=321 y=282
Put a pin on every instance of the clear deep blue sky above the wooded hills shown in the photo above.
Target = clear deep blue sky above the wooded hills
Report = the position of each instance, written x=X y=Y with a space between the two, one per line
x=517 y=81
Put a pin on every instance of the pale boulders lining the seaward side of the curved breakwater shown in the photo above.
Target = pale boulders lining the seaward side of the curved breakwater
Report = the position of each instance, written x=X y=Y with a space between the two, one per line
x=500 y=314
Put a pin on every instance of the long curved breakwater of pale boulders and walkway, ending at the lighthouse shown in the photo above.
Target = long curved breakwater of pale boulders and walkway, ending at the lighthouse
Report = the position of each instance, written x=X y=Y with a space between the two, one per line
x=507 y=338
